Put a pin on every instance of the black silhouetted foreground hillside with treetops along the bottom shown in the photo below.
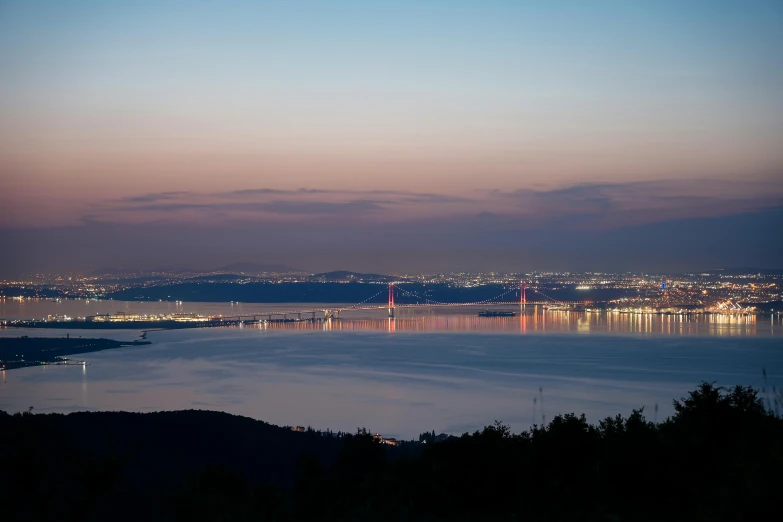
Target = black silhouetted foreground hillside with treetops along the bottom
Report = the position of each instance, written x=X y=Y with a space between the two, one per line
x=719 y=458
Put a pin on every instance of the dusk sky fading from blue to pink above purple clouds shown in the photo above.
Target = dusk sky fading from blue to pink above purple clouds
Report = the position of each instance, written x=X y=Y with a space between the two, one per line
x=391 y=136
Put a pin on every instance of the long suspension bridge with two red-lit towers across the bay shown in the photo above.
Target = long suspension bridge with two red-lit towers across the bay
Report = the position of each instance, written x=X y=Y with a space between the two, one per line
x=400 y=298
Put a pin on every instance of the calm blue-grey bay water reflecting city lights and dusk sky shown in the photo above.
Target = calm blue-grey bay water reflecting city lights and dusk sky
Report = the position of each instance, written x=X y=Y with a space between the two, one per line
x=438 y=369
